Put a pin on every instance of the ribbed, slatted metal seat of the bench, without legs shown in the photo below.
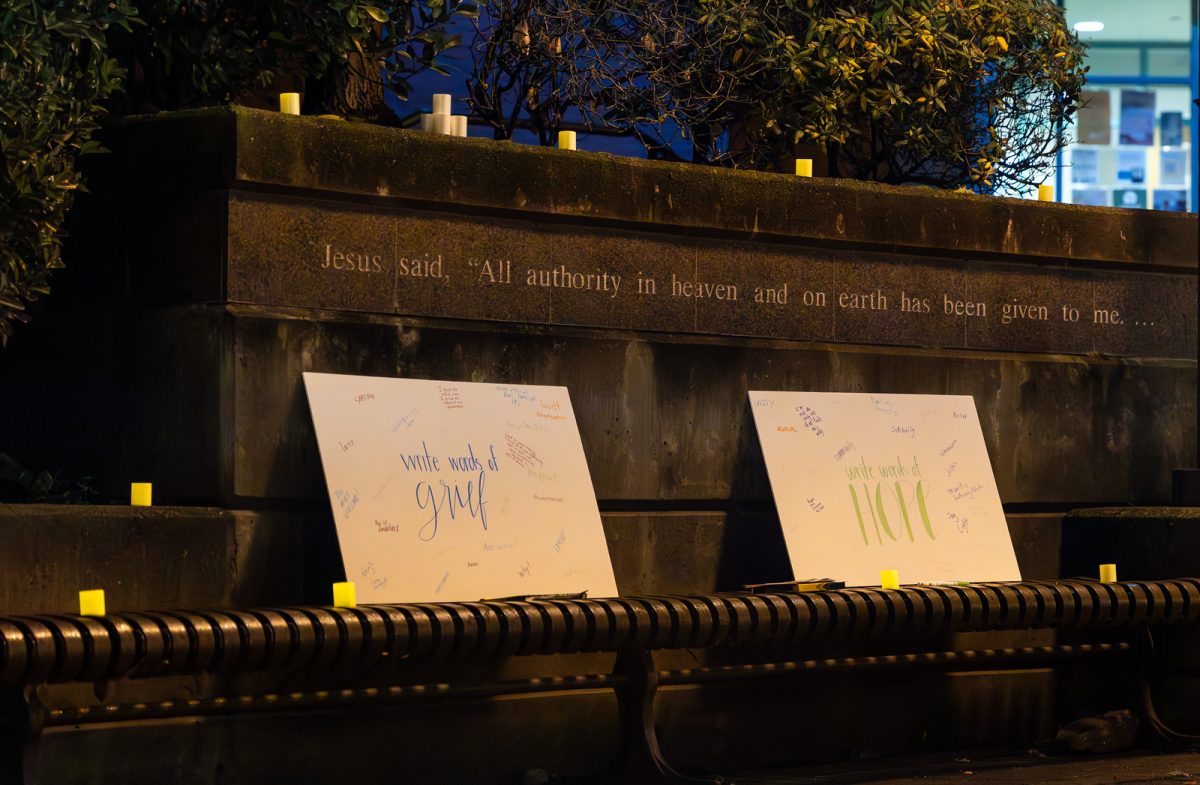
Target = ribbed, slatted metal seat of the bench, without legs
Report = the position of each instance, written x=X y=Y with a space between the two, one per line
x=76 y=649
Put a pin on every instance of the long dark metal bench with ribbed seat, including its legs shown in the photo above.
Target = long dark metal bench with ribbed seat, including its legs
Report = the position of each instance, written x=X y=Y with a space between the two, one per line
x=332 y=643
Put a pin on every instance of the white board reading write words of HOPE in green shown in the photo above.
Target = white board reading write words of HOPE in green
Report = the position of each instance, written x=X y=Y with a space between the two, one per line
x=866 y=483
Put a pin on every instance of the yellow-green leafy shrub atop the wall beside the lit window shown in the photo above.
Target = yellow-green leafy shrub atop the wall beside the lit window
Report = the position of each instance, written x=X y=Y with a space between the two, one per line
x=938 y=92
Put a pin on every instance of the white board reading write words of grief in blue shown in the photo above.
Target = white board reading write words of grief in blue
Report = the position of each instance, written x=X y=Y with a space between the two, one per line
x=458 y=492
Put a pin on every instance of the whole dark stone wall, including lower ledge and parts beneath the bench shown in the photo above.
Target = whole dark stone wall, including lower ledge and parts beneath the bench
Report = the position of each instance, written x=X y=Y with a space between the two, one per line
x=221 y=254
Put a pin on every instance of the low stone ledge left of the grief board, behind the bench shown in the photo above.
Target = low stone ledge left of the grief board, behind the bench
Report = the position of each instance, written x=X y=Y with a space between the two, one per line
x=163 y=558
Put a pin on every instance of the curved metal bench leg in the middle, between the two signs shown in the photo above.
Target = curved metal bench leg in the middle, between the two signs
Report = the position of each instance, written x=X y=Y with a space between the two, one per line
x=641 y=759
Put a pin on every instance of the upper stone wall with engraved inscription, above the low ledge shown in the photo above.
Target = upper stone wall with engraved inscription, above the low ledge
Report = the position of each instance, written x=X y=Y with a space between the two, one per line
x=227 y=251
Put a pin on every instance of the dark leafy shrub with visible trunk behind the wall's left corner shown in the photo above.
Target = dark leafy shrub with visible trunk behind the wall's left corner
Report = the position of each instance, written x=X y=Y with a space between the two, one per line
x=341 y=53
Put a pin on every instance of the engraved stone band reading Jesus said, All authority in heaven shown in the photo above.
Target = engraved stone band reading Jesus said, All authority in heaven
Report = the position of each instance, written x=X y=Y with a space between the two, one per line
x=427 y=265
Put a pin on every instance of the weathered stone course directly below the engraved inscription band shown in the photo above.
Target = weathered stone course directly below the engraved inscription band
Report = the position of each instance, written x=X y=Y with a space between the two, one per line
x=212 y=406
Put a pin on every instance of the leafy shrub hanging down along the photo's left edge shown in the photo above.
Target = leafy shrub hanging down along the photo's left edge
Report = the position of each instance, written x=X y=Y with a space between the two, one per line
x=55 y=80
